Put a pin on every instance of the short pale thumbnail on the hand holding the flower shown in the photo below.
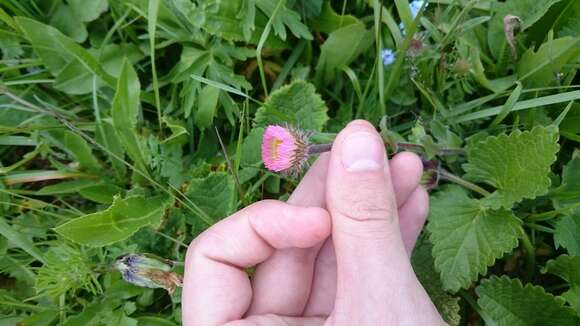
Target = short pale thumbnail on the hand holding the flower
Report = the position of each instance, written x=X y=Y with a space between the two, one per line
x=362 y=151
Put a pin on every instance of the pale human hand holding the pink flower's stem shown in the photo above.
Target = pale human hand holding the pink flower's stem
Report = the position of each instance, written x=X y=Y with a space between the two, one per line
x=360 y=276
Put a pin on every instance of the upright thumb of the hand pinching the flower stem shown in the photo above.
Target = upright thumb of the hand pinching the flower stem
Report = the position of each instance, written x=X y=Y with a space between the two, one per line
x=369 y=248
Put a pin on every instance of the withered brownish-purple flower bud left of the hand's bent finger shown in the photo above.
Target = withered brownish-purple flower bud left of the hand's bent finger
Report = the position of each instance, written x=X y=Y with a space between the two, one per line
x=148 y=271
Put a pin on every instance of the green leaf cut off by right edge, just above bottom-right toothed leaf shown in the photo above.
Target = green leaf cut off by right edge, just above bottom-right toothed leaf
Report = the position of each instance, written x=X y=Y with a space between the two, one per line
x=567 y=268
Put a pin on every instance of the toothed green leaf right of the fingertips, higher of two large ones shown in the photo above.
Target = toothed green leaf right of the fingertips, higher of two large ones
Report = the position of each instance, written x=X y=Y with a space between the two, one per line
x=517 y=164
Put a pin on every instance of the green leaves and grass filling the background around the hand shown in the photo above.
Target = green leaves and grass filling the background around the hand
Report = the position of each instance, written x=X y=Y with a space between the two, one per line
x=131 y=126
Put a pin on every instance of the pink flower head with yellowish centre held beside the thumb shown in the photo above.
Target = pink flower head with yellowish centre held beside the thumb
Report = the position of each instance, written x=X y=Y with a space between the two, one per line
x=284 y=149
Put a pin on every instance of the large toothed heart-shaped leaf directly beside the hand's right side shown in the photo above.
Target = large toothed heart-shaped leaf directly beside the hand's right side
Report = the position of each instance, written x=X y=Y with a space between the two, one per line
x=468 y=237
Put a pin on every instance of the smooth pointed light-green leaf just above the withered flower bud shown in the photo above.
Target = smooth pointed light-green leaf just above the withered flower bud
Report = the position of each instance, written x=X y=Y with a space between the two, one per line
x=118 y=222
